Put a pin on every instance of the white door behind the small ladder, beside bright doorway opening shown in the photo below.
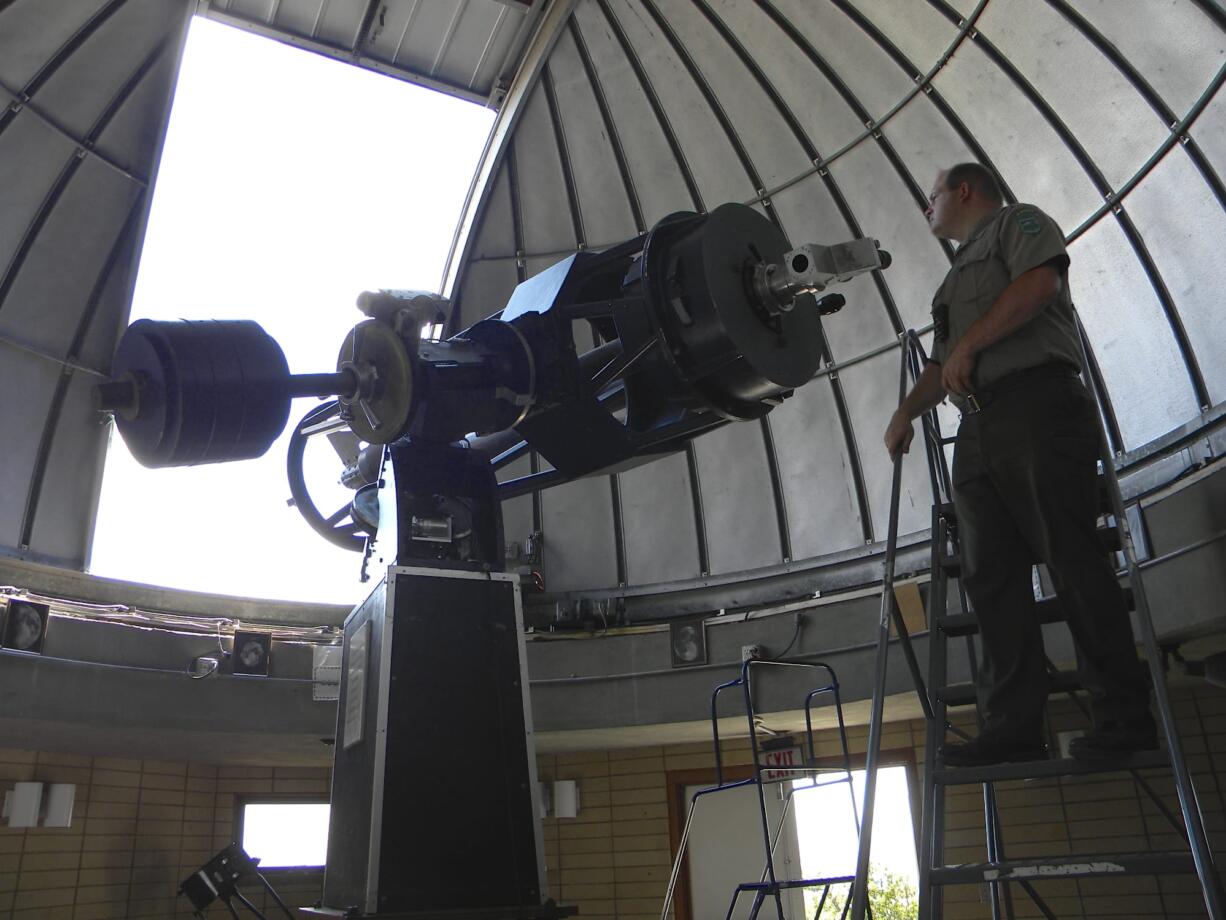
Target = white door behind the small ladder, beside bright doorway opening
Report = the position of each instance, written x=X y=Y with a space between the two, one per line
x=726 y=849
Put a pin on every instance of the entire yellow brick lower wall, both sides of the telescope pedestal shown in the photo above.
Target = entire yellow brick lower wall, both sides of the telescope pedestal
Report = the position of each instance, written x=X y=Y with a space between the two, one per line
x=142 y=827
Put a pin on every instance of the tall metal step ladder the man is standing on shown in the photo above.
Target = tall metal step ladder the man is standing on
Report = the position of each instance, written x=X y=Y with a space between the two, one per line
x=1000 y=873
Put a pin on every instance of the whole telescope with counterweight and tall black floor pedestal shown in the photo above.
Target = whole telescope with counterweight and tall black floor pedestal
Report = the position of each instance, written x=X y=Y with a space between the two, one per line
x=706 y=320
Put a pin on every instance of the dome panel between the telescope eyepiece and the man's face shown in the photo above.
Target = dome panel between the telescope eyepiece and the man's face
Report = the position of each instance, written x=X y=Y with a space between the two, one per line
x=888 y=214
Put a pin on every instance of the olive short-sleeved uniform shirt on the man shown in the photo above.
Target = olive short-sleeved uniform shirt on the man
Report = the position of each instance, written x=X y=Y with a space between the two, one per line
x=1006 y=245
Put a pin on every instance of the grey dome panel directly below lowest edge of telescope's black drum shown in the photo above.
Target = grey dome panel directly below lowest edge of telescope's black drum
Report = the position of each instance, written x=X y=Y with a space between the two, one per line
x=742 y=528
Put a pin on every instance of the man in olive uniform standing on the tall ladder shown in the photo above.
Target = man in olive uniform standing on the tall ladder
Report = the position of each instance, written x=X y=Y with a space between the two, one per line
x=1007 y=353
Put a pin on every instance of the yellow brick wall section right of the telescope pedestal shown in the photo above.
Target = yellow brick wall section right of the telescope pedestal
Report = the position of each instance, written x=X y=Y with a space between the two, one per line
x=614 y=861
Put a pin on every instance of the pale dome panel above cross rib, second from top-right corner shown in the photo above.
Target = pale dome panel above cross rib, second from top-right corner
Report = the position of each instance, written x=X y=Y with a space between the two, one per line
x=1092 y=96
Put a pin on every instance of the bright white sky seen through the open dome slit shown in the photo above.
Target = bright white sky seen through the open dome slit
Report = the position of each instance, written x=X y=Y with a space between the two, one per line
x=289 y=185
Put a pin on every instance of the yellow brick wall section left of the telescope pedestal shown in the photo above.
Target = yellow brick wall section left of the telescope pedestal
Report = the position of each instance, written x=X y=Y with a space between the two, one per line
x=139 y=829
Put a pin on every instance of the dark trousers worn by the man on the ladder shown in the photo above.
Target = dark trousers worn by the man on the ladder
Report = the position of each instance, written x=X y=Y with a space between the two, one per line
x=1026 y=491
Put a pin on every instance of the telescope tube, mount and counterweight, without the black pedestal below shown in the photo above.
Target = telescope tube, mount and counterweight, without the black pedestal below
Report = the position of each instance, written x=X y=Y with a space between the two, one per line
x=703 y=321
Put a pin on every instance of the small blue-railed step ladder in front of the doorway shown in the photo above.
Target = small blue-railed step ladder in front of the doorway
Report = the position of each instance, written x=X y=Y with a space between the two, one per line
x=771 y=886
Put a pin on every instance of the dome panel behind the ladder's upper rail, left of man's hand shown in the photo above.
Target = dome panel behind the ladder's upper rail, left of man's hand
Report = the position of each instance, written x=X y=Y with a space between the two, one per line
x=872 y=389
